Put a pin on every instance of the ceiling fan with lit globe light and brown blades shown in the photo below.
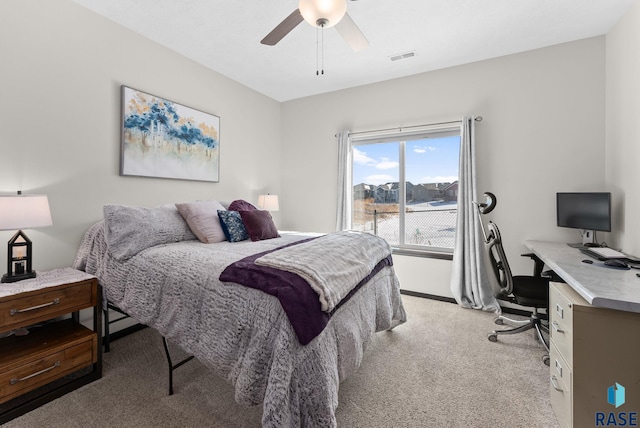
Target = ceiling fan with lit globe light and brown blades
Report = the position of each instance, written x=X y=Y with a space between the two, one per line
x=321 y=14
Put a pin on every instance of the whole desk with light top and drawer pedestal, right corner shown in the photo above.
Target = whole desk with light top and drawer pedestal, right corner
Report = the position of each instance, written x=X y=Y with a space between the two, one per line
x=595 y=338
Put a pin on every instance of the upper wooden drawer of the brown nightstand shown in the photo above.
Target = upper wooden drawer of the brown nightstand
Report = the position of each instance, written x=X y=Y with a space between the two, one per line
x=40 y=305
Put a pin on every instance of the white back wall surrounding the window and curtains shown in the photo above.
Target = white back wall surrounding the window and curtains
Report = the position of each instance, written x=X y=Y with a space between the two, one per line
x=543 y=132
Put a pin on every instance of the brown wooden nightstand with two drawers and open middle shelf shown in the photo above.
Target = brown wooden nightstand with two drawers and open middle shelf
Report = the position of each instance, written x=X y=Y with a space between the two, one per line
x=58 y=355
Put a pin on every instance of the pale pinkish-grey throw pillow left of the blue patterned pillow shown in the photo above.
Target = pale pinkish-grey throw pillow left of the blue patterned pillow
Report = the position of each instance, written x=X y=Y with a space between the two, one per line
x=202 y=218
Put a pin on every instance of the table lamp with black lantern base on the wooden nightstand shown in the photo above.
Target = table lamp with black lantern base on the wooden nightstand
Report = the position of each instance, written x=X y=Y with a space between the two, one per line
x=22 y=212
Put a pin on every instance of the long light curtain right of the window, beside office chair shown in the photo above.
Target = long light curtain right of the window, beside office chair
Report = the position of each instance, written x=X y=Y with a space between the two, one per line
x=469 y=278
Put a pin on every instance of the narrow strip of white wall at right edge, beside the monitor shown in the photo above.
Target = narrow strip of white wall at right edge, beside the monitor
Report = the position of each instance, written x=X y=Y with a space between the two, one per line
x=623 y=133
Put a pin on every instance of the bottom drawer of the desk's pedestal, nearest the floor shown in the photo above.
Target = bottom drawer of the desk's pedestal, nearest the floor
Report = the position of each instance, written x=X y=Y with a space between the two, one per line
x=560 y=388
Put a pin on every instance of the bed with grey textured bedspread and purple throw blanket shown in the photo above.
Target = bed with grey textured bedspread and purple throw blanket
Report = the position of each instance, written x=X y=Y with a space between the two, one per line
x=153 y=267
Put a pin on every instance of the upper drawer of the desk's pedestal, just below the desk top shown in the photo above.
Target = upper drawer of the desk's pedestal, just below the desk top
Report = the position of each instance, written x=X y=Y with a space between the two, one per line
x=561 y=322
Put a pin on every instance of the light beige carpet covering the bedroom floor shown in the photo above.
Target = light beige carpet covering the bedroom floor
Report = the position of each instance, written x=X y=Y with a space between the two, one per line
x=437 y=370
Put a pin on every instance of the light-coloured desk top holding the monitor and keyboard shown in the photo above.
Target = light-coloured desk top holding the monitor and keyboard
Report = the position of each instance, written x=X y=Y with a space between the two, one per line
x=598 y=284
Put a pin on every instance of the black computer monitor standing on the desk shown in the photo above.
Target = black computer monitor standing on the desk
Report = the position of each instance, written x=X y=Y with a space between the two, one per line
x=588 y=211
